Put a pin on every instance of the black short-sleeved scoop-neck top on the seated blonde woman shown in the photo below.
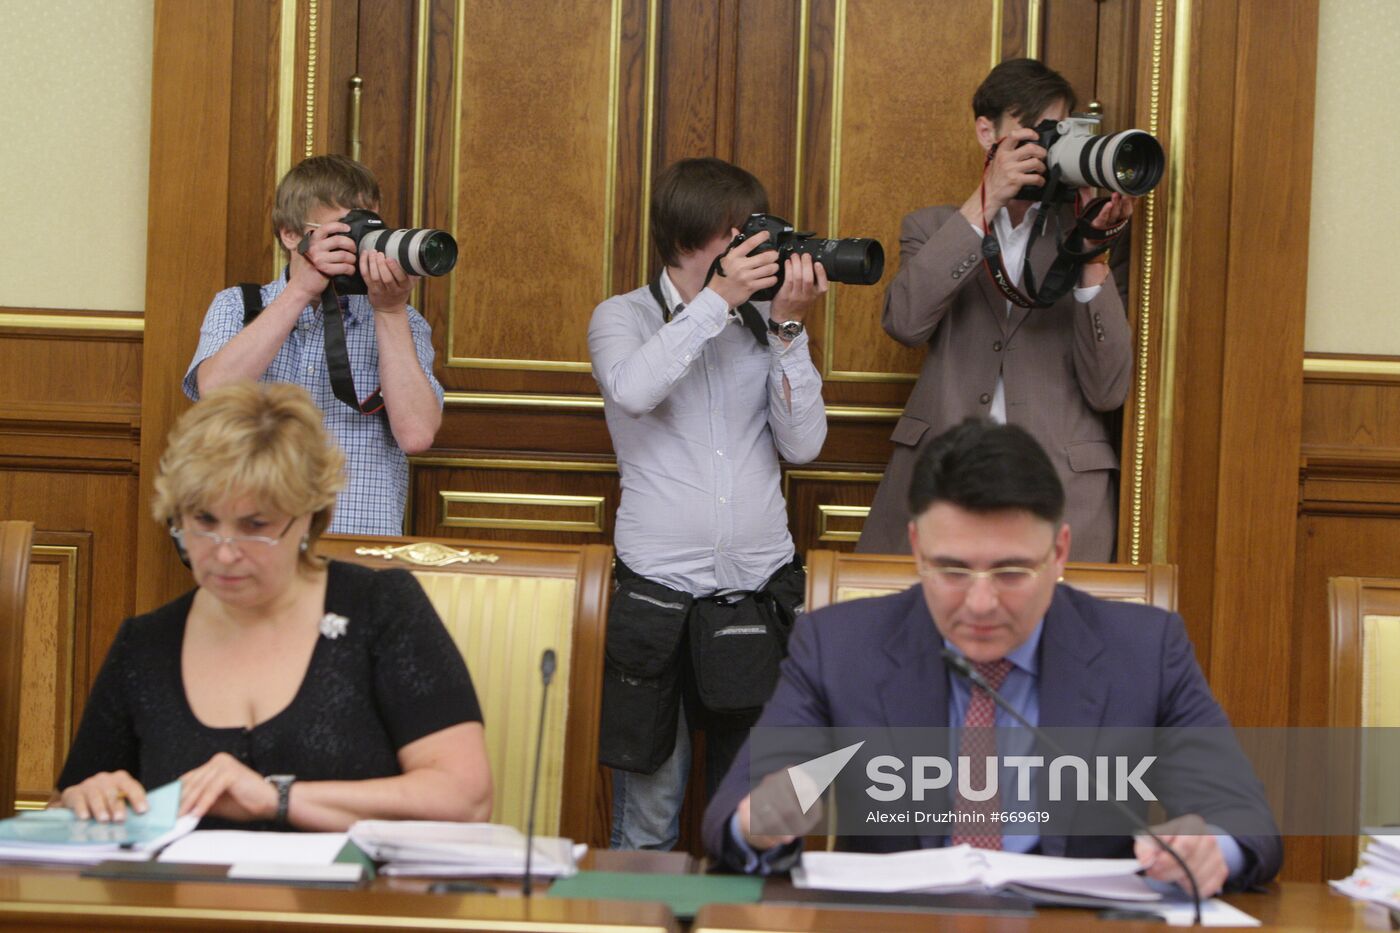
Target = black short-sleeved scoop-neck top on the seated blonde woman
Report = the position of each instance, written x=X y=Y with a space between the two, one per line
x=391 y=679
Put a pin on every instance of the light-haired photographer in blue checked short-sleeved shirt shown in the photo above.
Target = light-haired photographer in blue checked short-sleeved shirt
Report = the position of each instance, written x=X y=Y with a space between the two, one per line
x=388 y=344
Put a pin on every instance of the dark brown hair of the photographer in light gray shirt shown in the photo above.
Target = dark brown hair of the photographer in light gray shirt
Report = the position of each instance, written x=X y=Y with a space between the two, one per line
x=698 y=200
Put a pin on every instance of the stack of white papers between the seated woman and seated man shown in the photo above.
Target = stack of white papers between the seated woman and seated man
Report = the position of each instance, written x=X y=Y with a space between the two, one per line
x=461 y=850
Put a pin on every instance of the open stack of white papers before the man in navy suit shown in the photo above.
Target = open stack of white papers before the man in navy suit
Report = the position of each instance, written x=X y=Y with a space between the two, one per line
x=1097 y=883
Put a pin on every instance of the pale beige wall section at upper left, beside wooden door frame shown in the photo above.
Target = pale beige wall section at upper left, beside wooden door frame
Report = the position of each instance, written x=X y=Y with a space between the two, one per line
x=75 y=155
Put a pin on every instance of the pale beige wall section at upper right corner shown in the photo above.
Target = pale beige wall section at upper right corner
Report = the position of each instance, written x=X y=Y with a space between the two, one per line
x=1354 y=247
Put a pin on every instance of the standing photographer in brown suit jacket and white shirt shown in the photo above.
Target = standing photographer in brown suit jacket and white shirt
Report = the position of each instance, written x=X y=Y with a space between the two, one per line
x=1055 y=372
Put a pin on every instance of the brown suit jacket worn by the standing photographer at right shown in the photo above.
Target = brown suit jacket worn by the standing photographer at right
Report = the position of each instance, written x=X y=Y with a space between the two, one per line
x=1062 y=366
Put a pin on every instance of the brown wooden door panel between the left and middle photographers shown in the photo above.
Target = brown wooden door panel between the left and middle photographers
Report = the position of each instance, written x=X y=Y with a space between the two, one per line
x=538 y=113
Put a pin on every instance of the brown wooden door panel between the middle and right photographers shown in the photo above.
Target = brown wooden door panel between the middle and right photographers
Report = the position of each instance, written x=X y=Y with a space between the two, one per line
x=902 y=139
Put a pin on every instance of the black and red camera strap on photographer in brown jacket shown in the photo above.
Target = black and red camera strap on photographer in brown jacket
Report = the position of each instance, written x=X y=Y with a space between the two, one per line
x=1072 y=253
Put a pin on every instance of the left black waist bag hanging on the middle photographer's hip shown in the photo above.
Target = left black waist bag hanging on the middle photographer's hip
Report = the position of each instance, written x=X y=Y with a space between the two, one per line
x=642 y=675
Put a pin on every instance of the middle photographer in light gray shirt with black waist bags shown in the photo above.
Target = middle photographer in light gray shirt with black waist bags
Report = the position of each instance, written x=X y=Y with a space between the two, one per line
x=702 y=392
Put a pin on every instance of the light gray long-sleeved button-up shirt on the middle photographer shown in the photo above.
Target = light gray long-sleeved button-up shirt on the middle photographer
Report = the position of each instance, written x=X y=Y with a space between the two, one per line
x=698 y=417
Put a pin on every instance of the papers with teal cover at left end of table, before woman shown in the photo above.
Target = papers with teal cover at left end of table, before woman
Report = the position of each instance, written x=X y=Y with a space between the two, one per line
x=58 y=836
